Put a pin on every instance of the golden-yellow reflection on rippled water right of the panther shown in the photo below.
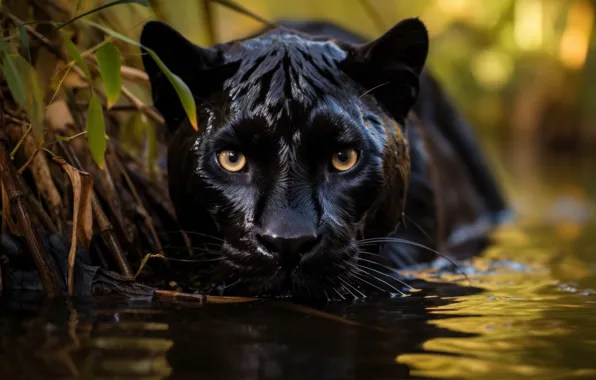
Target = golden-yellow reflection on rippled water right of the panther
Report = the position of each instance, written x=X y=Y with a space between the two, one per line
x=531 y=321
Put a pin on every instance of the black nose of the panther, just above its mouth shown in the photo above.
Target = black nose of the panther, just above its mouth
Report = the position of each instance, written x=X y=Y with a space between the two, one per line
x=288 y=248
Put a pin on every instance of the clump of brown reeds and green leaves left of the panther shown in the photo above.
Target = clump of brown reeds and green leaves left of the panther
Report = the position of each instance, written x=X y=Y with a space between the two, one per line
x=71 y=134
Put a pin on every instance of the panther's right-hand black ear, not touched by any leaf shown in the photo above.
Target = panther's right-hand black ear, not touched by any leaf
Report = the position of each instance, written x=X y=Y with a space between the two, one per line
x=390 y=66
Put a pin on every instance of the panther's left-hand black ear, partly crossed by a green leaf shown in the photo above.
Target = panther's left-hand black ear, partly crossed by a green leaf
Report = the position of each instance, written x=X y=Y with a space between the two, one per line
x=185 y=59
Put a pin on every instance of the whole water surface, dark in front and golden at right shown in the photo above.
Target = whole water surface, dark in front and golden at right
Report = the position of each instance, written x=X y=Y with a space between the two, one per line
x=530 y=313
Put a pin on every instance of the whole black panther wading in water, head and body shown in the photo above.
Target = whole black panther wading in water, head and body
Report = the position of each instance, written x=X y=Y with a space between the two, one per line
x=322 y=161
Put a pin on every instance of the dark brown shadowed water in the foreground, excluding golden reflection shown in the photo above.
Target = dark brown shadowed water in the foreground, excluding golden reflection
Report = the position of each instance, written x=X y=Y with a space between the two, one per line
x=104 y=338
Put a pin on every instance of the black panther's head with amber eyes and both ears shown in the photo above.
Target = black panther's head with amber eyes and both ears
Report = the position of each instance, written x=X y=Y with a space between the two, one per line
x=301 y=150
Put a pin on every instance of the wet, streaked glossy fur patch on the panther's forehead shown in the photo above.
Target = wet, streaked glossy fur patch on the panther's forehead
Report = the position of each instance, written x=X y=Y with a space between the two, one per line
x=281 y=72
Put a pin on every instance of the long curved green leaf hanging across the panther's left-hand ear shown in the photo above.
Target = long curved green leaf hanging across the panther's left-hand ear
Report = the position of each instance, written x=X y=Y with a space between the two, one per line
x=184 y=93
